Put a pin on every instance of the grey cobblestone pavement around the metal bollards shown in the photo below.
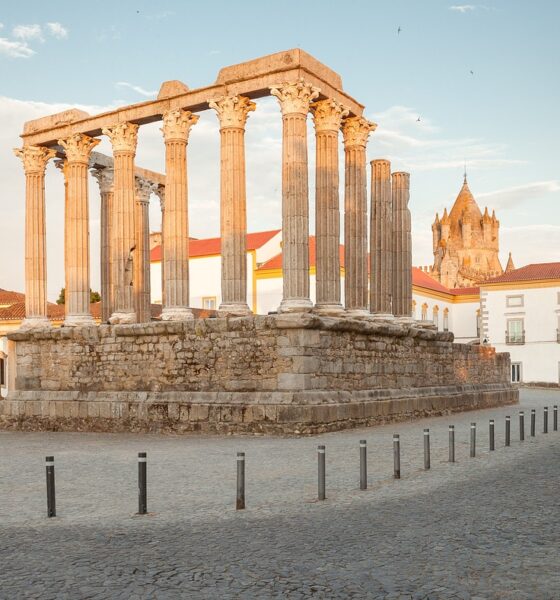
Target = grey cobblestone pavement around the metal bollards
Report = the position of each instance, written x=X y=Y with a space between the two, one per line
x=486 y=527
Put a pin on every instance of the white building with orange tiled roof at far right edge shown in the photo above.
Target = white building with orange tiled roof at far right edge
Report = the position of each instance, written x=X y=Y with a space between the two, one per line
x=521 y=315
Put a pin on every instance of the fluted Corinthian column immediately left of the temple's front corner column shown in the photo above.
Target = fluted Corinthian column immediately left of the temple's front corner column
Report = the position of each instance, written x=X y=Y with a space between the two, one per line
x=233 y=112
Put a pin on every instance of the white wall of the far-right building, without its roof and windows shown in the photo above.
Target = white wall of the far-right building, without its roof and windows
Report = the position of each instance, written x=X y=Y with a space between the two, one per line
x=540 y=355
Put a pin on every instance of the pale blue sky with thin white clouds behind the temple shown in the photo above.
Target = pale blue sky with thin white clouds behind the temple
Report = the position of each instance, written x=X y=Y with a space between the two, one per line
x=482 y=78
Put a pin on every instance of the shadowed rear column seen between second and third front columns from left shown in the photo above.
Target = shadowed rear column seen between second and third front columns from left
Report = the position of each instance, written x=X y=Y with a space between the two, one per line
x=105 y=179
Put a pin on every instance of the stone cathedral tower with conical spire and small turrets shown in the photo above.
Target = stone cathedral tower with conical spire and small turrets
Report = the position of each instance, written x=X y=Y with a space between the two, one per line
x=465 y=243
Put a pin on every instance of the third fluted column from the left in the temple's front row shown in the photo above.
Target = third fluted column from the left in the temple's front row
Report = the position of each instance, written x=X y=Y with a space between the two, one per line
x=124 y=138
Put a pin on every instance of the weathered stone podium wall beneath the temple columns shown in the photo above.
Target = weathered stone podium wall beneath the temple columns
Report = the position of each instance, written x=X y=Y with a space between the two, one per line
x=293 y=373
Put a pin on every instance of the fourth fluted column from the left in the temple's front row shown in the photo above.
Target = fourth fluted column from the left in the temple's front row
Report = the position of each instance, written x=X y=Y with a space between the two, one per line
x=175 y=231
